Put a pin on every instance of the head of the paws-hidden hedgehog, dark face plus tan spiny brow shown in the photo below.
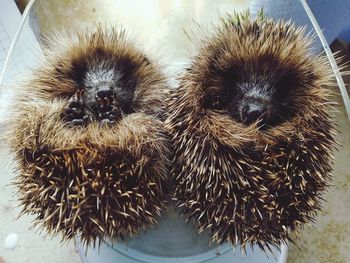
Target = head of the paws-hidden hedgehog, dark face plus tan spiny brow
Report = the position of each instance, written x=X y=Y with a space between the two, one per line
x=254 y=82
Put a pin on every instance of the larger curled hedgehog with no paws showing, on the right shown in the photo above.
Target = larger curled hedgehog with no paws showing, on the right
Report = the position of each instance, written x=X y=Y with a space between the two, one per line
x=251 y=132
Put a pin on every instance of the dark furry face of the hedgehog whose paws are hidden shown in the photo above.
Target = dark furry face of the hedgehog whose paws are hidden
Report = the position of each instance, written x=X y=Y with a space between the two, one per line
x=255 y=94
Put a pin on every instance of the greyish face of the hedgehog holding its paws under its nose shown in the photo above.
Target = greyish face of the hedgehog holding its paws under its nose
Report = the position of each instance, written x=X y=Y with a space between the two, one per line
x=105 y=85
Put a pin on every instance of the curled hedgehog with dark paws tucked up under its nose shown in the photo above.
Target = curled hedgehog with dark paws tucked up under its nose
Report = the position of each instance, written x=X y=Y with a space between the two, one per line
x=78 y=176
